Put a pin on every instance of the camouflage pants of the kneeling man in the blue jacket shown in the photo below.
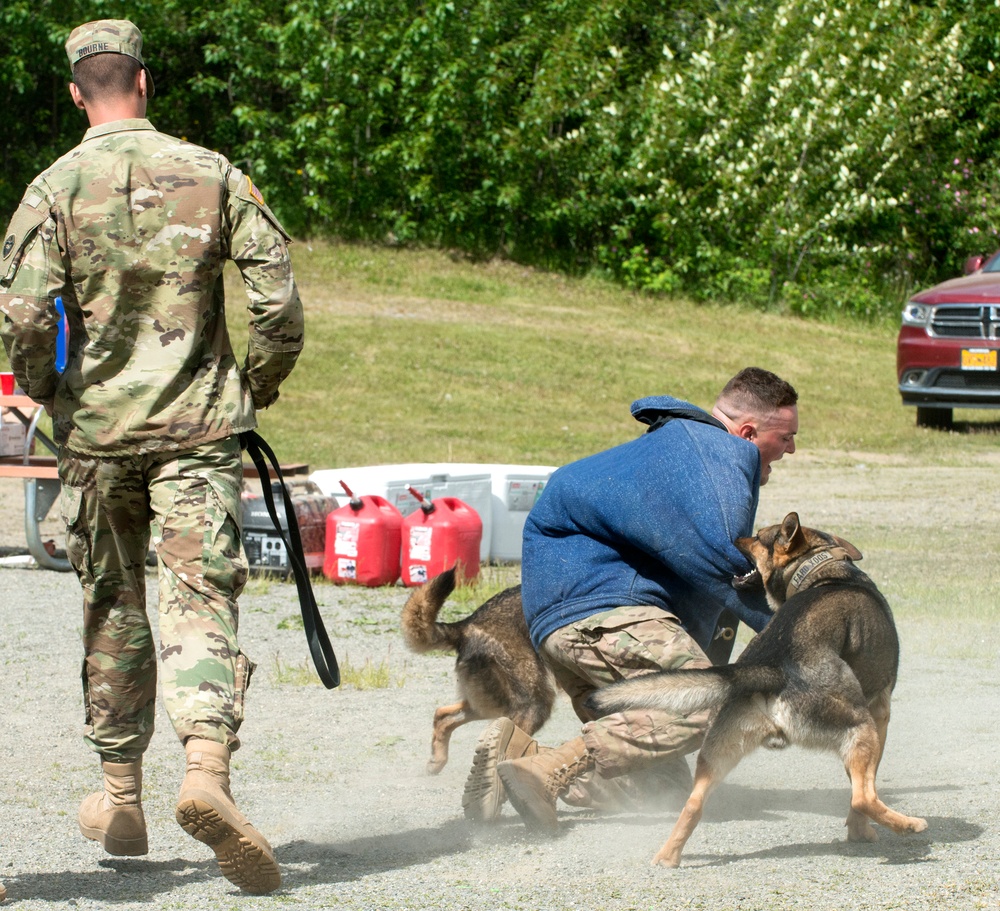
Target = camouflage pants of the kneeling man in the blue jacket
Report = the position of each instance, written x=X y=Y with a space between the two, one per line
x=642 y=750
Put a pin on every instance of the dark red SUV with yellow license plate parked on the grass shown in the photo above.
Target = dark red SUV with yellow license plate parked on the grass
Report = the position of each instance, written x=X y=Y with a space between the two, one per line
x=946 y=353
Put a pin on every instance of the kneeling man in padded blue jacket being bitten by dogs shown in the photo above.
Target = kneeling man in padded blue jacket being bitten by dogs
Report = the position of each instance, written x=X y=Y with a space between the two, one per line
x=627 y=568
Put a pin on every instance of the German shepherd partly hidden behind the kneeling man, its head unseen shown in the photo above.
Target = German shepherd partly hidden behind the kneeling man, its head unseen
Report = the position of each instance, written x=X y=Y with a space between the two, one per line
x=498 y=671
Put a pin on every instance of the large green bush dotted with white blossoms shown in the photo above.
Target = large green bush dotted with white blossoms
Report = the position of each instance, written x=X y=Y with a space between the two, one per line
x=782 y=151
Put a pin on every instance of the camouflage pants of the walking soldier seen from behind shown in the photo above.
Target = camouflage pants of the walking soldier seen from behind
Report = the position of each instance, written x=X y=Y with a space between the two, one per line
x=190 y=502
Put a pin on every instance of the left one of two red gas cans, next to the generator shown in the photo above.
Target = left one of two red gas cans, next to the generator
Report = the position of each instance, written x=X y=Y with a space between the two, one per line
x=363 y=541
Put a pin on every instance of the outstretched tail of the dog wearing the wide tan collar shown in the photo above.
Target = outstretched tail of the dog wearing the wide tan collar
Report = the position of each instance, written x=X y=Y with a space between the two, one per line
x=686 y=691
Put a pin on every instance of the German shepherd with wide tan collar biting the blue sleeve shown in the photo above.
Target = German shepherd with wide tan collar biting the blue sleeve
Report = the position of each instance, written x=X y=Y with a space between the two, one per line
x=821 y=674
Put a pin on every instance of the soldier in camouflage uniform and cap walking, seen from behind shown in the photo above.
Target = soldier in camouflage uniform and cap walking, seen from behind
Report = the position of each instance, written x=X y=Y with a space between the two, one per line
x=132 y=229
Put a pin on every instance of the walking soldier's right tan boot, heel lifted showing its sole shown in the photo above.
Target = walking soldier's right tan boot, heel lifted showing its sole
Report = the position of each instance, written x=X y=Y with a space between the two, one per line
x=206 y=811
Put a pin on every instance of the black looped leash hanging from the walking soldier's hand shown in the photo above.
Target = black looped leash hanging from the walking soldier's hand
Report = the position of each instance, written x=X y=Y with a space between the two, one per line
x=319 y=643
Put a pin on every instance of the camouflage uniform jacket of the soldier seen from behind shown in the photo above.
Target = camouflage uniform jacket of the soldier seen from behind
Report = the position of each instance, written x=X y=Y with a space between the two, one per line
x=132 y=229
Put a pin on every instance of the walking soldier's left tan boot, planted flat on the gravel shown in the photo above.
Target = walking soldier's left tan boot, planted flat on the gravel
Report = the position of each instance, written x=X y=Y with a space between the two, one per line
x=114 y=816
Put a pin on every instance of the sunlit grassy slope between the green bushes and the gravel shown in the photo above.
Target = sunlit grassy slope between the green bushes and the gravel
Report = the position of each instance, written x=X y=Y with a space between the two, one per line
x=415 y=356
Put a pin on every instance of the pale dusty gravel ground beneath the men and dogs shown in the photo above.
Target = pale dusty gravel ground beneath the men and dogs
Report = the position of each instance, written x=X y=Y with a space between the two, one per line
x=336 y=779
